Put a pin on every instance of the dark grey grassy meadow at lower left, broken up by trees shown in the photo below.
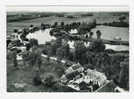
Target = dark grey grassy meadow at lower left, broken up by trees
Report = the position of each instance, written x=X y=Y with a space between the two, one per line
x=26 y=73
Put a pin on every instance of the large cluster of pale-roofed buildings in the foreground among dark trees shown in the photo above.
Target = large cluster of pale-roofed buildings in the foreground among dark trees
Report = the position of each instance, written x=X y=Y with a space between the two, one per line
x=83 y=80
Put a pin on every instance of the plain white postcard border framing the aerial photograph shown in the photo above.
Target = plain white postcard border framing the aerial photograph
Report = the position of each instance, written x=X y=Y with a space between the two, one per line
x=94 y=5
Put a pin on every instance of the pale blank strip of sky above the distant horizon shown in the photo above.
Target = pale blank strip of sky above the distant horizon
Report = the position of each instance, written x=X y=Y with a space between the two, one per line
x=65 y=9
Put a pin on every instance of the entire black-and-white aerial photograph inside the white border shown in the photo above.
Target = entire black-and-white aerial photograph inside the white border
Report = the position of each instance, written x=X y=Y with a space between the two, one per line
x=67 y=49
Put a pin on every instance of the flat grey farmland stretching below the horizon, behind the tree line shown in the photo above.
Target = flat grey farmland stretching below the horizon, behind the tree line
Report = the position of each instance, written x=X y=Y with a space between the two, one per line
x=100 y=18
